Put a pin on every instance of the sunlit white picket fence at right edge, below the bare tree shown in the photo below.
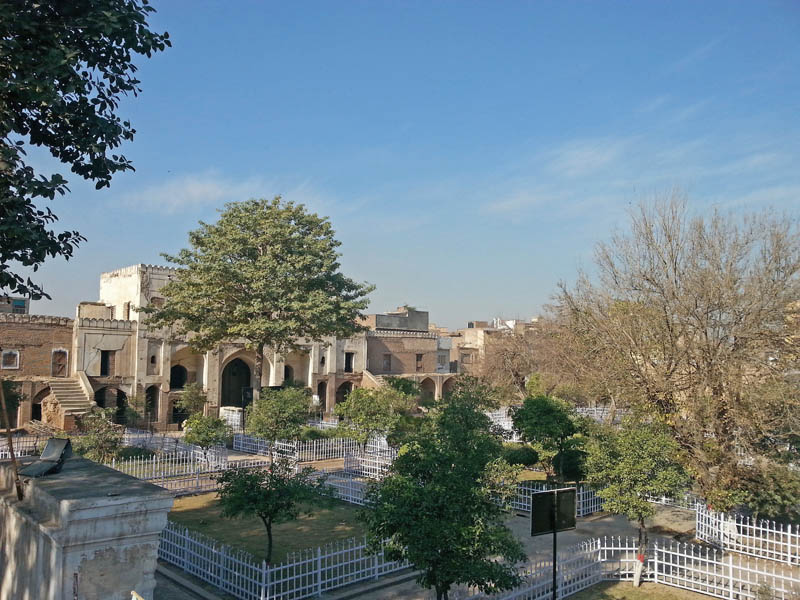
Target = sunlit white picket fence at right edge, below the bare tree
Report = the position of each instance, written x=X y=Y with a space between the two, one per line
x=754 y=537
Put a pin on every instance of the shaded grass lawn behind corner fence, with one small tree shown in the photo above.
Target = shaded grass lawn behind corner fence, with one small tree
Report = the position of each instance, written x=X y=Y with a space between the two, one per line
x=202 y=513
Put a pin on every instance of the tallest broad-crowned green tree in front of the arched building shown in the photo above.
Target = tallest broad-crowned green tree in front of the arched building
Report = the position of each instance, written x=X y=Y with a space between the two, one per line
x=267 y=272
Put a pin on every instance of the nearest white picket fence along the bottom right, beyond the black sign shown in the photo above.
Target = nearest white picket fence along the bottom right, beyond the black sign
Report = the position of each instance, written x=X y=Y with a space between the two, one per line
x=688 y=566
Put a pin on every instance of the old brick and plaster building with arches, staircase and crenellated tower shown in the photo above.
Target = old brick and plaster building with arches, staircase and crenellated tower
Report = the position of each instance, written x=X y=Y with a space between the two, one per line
x=107 y=356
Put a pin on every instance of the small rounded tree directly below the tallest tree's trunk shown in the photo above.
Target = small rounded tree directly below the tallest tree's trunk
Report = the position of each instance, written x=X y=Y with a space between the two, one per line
x=278 y=415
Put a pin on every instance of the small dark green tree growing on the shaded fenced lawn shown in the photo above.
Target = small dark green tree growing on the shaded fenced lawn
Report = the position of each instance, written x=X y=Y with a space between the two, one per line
x=274 y=495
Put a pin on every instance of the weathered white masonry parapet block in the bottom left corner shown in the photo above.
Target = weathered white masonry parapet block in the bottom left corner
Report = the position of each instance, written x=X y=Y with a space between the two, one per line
x=88 y=532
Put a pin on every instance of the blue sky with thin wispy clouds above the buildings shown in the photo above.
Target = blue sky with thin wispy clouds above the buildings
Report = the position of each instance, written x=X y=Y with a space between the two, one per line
x=469 y=154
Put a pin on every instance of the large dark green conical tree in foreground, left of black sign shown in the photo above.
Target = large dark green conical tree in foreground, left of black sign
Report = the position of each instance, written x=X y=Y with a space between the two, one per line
x=439 y=506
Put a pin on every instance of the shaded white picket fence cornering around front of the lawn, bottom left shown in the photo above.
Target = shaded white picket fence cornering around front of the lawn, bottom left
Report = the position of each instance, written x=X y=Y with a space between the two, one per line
x=304 y=574
